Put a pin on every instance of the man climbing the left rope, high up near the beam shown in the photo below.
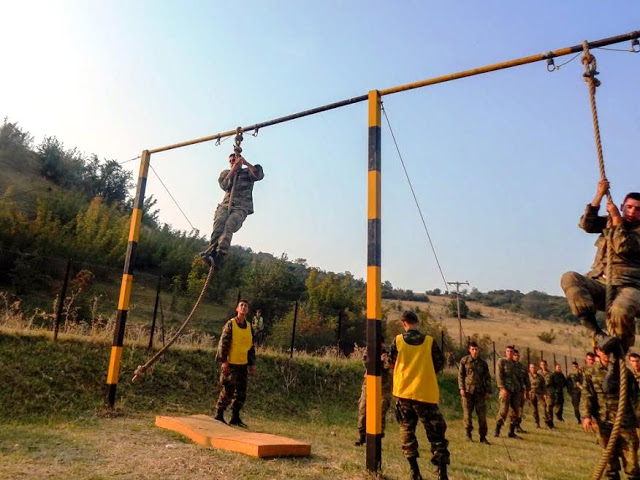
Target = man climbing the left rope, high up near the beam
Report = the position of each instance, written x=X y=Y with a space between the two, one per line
x=237 y=182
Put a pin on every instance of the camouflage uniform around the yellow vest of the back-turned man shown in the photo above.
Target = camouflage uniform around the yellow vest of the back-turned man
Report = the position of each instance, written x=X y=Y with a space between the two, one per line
x=410 y=411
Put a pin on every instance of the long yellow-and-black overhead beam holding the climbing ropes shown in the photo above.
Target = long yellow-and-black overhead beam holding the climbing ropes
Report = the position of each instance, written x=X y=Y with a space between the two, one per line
x=410 y=86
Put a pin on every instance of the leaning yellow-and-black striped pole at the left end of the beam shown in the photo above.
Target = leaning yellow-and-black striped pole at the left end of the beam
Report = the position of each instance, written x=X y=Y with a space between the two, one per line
x=127 y=281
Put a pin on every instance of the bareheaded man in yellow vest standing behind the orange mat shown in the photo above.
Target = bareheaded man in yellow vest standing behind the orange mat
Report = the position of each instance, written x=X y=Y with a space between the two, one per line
x=237 y=355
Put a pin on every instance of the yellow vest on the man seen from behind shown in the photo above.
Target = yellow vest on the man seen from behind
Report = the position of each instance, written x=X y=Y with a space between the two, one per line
x=414 y=377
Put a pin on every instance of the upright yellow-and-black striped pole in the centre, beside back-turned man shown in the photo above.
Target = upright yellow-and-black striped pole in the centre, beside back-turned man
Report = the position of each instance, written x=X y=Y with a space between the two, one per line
x=374 y=290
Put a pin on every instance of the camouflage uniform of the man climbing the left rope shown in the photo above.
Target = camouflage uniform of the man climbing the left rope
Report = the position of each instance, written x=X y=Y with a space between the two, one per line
x=227 y=222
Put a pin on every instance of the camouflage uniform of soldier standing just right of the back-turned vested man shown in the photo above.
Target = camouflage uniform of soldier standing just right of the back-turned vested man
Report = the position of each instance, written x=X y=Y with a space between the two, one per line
x=474 y=378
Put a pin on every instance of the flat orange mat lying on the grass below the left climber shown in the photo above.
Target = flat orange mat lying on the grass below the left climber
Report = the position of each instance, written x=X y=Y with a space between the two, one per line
x=206 y=431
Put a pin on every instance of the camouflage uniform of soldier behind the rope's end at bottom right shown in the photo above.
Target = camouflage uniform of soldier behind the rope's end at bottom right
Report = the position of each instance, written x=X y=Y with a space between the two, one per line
x=602 y=408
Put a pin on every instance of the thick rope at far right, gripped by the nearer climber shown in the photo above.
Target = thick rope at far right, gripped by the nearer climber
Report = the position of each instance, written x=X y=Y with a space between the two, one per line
x=590 y=72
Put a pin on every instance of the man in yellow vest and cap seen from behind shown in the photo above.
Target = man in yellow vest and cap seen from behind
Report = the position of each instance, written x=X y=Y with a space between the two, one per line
x=416 y=359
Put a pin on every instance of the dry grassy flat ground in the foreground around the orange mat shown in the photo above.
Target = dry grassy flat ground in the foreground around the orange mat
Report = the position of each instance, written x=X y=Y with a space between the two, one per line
x=132 y=448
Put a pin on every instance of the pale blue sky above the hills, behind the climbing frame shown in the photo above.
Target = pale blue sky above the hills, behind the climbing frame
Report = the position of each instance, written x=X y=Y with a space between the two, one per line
x=502 y=164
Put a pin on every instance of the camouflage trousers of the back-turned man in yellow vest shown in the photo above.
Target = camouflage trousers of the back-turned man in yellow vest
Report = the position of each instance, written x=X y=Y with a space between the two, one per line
x=410 y=411
